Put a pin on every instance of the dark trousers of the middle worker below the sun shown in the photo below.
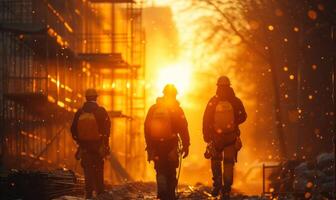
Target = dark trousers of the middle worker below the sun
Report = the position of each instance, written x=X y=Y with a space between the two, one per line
x=165 y=163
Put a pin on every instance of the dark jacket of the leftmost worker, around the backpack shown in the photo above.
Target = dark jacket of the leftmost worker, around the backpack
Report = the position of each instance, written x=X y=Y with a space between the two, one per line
x=103 y=121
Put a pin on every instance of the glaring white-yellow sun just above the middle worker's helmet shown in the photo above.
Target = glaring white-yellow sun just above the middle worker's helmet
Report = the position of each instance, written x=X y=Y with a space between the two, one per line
x=178 y=74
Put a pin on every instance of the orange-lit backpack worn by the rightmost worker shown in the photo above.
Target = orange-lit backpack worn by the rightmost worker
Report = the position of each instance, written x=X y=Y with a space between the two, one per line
x=224 y=118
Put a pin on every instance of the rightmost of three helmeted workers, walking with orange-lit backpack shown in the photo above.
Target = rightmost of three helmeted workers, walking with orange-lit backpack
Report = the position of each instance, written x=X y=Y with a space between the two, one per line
x=222 y=116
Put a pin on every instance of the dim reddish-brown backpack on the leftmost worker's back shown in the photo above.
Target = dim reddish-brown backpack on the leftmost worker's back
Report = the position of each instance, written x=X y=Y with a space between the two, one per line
x=87 y=127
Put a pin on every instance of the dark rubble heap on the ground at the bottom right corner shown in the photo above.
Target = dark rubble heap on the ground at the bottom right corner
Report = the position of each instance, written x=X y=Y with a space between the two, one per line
x=305 y=179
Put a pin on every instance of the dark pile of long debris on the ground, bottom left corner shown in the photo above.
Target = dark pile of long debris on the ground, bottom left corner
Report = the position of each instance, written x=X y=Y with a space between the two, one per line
x=22 y=184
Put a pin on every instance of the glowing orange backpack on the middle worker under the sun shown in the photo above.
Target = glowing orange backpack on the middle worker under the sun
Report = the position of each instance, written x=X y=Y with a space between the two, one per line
x=160 y=125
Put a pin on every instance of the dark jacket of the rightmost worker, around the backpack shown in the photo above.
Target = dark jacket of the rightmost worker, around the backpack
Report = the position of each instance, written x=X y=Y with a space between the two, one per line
x=208 y=118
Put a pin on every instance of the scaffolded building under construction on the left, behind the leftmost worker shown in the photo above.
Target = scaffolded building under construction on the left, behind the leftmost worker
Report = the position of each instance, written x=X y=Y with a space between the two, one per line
x=51 y=51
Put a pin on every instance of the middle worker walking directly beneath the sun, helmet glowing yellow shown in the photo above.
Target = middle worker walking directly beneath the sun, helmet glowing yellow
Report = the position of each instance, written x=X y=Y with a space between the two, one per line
x=165 y=122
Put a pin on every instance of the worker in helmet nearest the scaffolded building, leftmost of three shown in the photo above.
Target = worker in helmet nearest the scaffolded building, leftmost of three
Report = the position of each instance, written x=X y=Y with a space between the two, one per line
x=91 y=130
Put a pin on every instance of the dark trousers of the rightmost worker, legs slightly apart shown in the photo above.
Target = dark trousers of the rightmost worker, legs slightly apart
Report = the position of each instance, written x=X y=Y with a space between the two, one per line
x=226 y=175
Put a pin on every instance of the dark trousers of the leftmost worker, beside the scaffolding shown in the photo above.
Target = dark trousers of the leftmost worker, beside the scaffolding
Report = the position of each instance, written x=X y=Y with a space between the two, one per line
x=93 y=166
